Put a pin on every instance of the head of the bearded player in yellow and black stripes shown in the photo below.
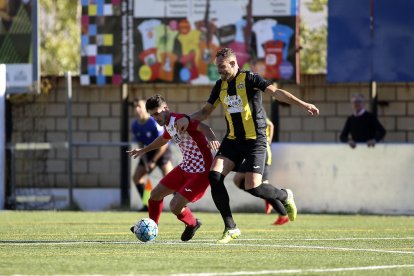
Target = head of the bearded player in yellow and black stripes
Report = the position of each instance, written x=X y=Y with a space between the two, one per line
x=226 y=63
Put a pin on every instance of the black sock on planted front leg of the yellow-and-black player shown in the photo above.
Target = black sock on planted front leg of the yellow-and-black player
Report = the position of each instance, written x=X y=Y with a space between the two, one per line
x=221 y=198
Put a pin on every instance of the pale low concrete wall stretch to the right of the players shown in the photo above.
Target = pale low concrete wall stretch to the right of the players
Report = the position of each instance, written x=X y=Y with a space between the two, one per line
x=335 y=178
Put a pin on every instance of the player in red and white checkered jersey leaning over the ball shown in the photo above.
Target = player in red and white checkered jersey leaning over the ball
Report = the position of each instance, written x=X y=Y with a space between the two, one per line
x=189 y=180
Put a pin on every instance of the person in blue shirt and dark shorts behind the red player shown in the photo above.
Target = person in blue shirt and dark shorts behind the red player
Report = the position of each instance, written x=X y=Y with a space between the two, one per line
x=145 y=130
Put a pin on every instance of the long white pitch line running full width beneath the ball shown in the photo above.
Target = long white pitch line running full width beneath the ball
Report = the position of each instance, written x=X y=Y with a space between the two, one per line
x=22 y=243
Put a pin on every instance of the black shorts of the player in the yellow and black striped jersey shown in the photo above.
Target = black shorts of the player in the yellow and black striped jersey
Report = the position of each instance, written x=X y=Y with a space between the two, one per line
x=247 y=155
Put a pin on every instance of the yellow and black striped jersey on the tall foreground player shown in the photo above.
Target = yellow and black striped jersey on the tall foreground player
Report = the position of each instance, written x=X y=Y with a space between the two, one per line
x=242 y=102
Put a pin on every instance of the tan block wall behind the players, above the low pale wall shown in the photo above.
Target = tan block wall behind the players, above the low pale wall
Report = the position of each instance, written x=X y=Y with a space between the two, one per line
x=96 y=117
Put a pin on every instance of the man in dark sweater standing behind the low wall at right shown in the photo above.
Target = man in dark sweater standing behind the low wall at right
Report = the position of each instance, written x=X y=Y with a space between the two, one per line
x=362 y=126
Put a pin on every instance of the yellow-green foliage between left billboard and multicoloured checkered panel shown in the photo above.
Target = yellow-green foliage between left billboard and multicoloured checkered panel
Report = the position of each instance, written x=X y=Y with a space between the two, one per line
x=59 y=32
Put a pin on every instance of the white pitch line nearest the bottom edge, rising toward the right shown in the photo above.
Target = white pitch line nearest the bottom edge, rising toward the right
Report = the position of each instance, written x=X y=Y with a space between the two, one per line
x=296 y=271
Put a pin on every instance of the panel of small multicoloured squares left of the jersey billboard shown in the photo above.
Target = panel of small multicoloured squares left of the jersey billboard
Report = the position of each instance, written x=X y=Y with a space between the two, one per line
x=101 y=41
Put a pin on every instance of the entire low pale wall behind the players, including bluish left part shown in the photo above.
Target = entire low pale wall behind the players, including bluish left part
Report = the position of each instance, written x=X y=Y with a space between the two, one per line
x=325 y=178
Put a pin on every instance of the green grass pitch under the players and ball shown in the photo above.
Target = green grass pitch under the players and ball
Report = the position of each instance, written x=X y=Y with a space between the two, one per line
x=99 y=243
